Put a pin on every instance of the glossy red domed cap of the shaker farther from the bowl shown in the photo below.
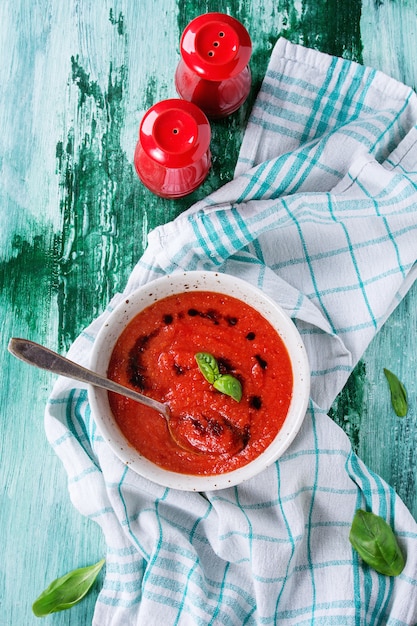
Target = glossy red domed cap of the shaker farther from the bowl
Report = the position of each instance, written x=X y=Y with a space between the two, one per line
x=216 y=46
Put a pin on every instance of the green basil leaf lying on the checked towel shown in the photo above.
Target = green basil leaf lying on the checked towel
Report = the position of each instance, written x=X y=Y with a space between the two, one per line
x=376 y=543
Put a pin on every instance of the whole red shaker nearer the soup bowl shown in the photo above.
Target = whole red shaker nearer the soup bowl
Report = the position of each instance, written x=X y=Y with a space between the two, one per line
x=172 y=156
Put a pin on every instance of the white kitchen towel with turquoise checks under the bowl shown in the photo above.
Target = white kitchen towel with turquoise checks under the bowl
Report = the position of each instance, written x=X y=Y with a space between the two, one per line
x=321 y=215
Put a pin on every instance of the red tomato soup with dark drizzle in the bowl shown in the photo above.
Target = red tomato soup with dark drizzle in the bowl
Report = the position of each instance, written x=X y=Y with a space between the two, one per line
x=211 y=433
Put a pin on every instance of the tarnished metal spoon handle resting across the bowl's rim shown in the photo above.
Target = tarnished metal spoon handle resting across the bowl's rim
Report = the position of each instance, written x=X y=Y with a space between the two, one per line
x=39 y=356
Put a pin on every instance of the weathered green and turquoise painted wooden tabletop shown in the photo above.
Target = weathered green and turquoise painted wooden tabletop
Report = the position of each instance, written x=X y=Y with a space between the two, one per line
x=75 y=80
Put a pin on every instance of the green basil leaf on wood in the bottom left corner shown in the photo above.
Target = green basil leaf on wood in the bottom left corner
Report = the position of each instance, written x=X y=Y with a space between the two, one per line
x=67 y=590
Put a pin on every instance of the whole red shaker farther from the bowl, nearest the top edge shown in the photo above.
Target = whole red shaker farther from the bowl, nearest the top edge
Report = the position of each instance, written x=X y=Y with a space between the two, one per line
x=213 y=71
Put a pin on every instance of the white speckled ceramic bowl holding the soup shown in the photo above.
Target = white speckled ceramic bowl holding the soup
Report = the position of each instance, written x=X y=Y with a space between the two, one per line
x=199 y=281
